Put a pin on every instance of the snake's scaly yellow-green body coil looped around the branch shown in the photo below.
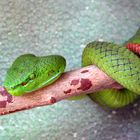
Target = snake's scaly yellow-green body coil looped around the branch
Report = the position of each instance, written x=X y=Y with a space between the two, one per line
x=120 y=64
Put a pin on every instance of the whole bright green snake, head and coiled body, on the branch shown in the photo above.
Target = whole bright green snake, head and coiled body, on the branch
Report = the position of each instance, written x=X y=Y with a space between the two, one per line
x=29 y=72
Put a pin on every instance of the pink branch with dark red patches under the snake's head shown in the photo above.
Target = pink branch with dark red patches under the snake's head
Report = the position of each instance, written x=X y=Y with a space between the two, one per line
x=77 y=82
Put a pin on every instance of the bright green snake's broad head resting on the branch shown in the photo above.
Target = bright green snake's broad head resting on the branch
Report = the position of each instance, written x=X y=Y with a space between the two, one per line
x=29 y=73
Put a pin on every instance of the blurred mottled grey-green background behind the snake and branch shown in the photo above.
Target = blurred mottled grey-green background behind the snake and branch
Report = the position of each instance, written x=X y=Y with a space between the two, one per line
x=64 y=27
